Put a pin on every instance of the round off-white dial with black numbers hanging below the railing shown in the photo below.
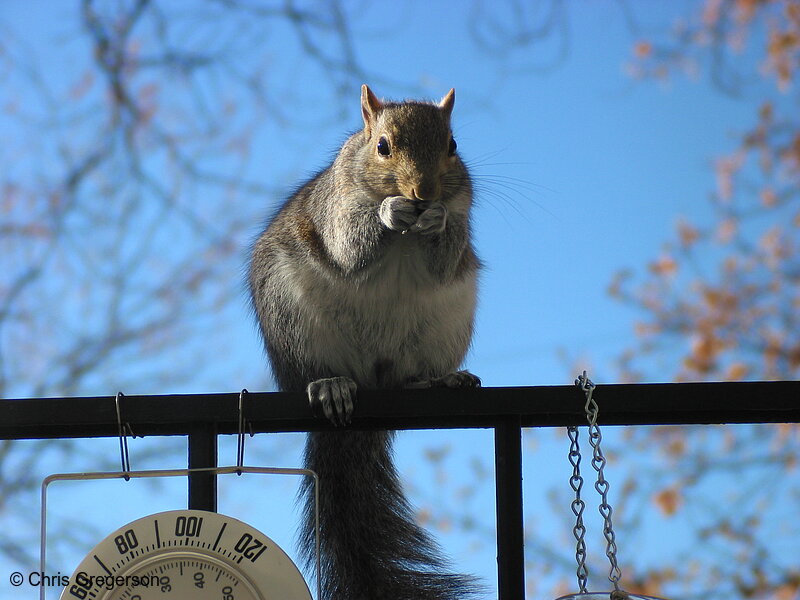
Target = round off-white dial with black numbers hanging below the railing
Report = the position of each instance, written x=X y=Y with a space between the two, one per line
x=186 y=555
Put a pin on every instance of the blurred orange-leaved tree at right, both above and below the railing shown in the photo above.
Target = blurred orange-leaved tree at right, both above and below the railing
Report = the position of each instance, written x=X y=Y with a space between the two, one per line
x=722 y=302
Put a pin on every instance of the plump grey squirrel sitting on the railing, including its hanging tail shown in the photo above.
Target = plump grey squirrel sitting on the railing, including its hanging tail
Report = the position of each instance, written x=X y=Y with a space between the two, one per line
x=366 y=277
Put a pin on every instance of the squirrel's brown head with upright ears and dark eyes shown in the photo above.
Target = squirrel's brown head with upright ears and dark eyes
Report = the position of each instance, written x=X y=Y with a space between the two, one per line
x=409 y=147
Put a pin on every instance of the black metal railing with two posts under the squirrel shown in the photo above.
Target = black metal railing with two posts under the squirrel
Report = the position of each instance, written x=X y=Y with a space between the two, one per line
x=202 y=417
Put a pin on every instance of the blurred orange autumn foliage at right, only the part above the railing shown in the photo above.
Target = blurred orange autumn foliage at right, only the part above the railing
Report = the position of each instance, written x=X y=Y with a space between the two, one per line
x=726 y=295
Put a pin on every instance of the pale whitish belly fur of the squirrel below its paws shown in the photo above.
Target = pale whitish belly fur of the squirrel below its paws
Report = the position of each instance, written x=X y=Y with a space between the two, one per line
x=393 y=325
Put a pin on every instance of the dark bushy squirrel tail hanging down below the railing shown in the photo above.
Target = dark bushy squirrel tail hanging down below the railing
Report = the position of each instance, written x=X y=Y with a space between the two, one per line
x=371 y=548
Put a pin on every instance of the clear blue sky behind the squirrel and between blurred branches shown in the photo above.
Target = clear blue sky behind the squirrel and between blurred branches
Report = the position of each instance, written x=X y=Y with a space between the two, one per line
x=581 y=171
